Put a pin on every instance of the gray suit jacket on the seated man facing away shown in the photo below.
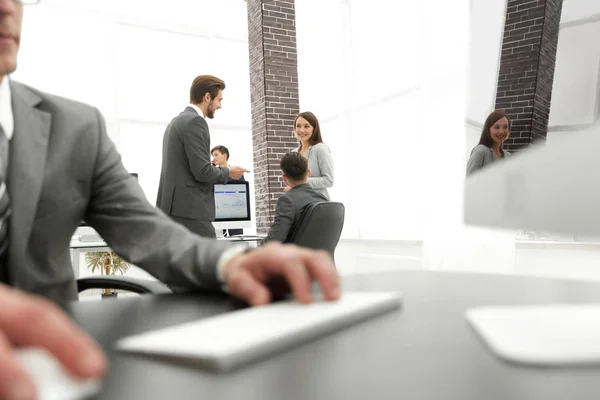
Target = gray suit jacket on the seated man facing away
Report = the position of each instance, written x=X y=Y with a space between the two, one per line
x=289 y=209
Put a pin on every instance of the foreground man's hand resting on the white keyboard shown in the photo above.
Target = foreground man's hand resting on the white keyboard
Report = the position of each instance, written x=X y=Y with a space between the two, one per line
x=279 y=268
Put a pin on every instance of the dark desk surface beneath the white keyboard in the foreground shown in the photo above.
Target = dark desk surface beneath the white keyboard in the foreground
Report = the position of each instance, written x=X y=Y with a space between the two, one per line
x=424 y=351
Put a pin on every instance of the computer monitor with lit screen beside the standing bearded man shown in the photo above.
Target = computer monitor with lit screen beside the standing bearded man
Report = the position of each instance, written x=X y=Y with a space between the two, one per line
x=232 y=206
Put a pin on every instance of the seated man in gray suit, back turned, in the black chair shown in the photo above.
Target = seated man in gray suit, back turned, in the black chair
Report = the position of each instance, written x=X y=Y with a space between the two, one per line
x=291 y=204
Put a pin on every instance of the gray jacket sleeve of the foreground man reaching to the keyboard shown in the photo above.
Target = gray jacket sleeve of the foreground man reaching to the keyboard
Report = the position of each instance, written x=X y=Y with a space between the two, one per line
x=142 y=234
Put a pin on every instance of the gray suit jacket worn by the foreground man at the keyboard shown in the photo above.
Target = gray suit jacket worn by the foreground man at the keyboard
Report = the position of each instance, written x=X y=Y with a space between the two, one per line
x=64 y=169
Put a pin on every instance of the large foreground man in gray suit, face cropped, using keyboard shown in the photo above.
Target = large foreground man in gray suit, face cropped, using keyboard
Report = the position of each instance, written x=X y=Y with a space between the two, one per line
x=60 y=168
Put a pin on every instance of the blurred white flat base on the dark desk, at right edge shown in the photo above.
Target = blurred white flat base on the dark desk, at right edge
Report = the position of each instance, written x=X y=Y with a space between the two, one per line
x=541 y=334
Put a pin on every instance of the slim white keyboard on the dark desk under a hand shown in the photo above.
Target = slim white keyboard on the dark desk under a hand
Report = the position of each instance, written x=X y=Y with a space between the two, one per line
x=226 y=341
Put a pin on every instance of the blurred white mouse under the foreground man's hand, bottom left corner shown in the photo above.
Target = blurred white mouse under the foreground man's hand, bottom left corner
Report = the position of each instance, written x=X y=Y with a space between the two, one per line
x=53 y=382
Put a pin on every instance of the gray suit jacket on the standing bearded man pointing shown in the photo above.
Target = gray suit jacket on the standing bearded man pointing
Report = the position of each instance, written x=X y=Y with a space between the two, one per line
x=187 y=175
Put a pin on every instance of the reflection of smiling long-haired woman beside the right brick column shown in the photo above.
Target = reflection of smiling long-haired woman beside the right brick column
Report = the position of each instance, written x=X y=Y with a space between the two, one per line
x=495 y=132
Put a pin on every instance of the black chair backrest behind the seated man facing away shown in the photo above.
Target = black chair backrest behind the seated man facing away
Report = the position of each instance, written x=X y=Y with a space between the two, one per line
x=320 y=226
